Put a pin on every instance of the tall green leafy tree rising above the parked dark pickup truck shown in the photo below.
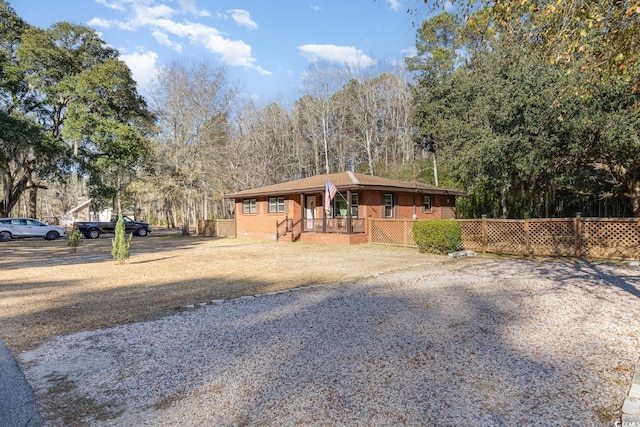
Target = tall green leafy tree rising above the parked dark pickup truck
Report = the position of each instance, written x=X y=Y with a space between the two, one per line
x=87 y=100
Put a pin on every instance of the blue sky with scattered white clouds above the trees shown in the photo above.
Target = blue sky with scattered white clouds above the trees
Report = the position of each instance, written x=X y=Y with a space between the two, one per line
x=265 y=45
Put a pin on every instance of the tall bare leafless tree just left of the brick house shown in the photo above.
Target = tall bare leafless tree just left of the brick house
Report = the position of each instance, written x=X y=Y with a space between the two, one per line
x=192 y=104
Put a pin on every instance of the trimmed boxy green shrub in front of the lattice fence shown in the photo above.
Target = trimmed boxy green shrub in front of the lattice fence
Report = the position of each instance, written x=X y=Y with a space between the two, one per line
x=438 y=236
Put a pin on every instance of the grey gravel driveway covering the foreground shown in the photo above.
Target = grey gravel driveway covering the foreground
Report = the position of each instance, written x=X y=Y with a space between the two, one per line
x=497 y=342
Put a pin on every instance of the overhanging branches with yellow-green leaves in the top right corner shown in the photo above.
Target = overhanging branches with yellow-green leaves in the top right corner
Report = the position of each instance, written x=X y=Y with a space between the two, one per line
x=598 y=39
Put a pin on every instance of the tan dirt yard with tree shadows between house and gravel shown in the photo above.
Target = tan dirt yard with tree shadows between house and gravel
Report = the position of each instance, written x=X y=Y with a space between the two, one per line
x=46 y=290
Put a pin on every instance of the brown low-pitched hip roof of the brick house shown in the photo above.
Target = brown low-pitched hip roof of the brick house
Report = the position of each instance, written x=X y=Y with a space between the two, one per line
x=343 y=181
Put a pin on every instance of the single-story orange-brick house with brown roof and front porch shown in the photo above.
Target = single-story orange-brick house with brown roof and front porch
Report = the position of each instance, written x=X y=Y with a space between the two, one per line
x=297 y=207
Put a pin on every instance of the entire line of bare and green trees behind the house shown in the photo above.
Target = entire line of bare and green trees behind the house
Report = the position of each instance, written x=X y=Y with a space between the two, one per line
x=514 y=123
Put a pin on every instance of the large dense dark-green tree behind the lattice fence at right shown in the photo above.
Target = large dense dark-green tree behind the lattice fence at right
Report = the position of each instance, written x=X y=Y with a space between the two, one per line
x=521 y=137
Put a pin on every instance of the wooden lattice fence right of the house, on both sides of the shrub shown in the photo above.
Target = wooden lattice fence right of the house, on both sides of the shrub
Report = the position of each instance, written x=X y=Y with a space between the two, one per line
x=612 y=238
